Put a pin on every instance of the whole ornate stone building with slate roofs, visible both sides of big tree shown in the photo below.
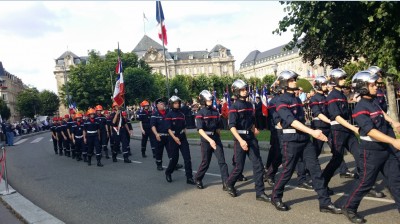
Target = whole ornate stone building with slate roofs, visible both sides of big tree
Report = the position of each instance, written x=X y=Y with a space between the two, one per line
x=218 y=61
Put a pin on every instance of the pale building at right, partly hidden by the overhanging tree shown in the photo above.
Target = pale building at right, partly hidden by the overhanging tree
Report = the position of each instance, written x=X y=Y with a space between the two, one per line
x=273 y=61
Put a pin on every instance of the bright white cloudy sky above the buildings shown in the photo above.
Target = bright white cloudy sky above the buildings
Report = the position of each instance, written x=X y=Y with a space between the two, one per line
x=33 y=33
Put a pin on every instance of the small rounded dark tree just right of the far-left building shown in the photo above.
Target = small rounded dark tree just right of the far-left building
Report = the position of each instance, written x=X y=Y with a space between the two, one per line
x=28 y=103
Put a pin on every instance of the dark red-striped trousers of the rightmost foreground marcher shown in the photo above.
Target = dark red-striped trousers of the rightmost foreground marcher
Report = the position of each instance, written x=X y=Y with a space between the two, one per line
x=373 y=162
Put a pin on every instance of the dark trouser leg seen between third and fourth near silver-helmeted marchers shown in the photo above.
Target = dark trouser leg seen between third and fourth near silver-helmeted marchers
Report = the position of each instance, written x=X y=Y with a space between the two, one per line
x=274 y=159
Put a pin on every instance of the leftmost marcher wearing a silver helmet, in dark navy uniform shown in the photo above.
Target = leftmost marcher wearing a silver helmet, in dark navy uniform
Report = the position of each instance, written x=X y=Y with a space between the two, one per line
x=176 y=126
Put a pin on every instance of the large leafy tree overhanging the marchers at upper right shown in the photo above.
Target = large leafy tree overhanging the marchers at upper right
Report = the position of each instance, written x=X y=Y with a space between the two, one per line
x=339 y=32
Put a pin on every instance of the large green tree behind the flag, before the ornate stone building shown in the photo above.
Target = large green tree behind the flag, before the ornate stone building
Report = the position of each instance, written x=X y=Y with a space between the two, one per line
x=92 y=83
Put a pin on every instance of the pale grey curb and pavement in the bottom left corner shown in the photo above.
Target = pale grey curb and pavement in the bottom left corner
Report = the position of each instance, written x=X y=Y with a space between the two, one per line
x=29 y=212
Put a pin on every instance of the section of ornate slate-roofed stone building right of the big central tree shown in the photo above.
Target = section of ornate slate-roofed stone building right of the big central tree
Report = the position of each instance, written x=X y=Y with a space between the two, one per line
x=218 y=61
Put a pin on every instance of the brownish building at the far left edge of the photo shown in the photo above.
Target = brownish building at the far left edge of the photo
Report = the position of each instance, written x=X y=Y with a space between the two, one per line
x=10 y=87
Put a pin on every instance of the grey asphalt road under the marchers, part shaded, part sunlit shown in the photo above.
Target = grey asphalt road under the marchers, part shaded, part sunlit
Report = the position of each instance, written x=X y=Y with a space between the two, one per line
x=138 y=193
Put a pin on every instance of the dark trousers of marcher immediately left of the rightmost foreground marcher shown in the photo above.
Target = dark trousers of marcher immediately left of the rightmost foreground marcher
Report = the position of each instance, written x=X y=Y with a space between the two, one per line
x=340 y=141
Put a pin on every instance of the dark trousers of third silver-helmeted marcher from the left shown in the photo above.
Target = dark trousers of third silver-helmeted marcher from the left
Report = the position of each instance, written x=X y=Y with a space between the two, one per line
x=240 y=157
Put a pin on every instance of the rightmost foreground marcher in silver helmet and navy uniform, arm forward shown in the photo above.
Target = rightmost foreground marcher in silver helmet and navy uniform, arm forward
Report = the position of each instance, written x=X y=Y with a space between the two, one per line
x=376 y=139
